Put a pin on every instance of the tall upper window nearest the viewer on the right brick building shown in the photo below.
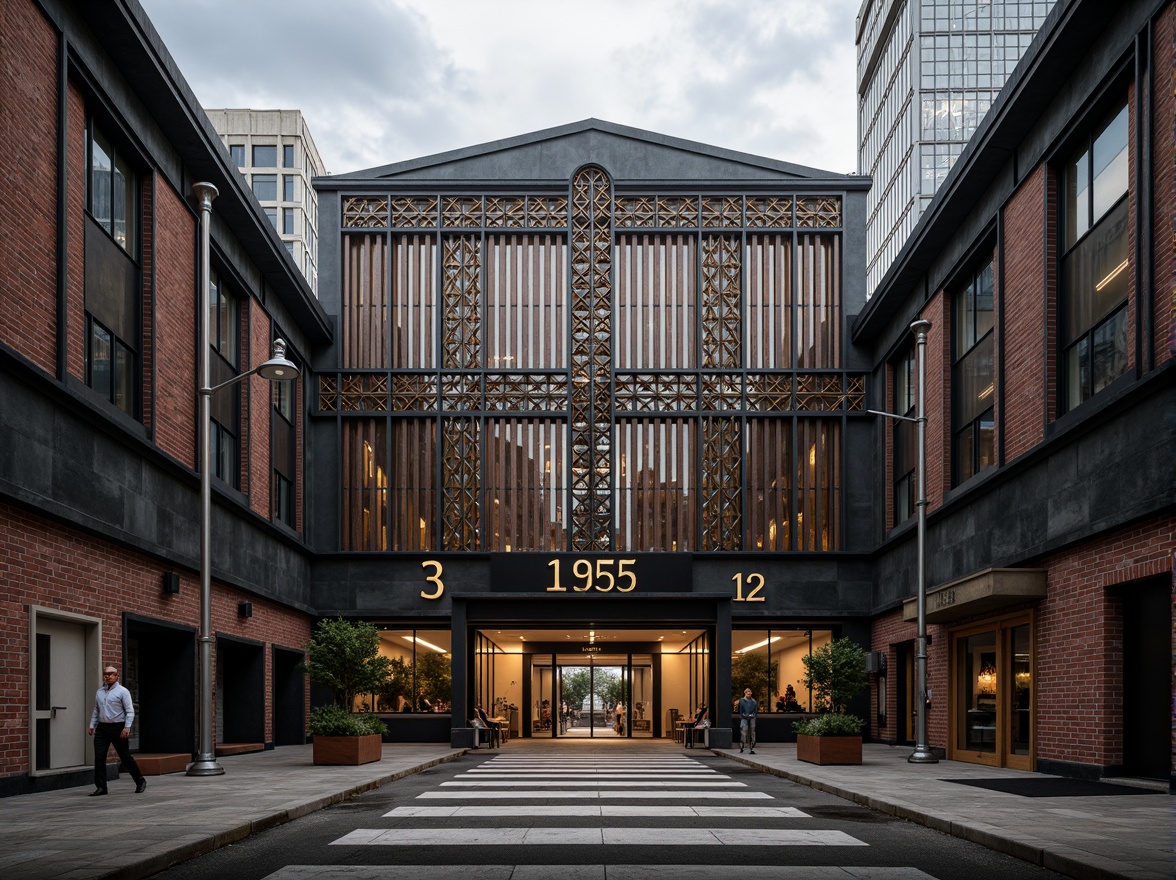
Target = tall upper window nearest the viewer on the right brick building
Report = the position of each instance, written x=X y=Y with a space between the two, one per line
x=1095 y=266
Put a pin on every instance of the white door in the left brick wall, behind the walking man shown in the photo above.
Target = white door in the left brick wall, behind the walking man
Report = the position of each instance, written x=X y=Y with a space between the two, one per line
x=63 y=710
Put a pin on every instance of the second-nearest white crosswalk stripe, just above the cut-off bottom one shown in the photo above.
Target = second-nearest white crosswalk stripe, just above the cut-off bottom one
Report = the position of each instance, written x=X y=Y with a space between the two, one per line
x=594 y=837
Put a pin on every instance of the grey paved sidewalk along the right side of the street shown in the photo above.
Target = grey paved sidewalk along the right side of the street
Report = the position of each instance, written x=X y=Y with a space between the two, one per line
x=1084 y=837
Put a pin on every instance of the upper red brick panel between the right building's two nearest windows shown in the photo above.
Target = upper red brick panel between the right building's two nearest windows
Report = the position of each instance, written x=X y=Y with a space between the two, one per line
x=1024 y=319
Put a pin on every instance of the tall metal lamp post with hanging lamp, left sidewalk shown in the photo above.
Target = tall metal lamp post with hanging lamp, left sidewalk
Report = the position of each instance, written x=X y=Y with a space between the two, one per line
x=277 y=369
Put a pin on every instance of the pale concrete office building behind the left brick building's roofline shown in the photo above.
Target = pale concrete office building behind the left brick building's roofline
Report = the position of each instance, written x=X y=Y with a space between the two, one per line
x=276 y=152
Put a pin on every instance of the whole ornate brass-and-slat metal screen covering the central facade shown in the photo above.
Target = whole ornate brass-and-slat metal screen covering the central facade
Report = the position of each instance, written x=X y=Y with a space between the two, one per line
x=592 y=371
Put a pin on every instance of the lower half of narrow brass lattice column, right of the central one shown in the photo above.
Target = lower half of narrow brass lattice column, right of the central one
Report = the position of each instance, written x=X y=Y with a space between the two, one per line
x=723 y=463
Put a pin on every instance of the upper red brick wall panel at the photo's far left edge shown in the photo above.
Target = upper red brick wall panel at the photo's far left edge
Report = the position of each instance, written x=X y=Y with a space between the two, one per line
x=29 y=131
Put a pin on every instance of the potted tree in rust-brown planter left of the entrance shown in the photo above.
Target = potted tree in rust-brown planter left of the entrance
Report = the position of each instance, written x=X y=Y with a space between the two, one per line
x=346 y=658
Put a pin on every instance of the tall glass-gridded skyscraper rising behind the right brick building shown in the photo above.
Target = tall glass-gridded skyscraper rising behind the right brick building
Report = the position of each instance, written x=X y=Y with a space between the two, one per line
x=927 y=74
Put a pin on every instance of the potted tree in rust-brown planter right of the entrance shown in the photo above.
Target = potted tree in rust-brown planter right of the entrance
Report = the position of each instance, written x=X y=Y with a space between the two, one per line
x=837 y=674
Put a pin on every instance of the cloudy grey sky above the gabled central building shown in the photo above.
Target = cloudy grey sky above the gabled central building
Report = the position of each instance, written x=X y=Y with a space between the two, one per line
x=386 y=81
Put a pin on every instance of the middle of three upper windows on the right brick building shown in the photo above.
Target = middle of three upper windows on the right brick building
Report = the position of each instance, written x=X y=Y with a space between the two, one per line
x=973 y=377
